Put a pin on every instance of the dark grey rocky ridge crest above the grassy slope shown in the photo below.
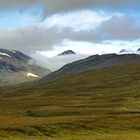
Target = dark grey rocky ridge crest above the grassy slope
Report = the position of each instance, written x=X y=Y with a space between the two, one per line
x=94 y=62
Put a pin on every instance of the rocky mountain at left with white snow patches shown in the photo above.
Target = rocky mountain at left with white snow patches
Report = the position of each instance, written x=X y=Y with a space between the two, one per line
x=16 y=67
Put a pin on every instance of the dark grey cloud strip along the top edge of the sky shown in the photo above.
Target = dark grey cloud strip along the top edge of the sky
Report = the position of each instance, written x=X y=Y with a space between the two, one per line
x=61 y=5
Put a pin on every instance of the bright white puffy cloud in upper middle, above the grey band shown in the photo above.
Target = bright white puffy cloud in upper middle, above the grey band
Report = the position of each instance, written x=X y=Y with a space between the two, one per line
x=78 y=20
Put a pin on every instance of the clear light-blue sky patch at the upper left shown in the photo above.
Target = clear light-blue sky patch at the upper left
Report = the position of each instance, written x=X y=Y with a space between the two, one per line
x=19 y=17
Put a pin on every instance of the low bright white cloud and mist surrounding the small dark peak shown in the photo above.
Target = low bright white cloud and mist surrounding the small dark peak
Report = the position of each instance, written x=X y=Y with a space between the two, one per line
x=49 y=59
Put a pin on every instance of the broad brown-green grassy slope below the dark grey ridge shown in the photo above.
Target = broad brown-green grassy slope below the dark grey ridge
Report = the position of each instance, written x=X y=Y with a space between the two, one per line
x=98 y=102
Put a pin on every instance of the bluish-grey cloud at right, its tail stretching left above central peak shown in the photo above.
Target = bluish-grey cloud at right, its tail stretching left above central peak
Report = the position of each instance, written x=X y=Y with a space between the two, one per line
x=125 y=28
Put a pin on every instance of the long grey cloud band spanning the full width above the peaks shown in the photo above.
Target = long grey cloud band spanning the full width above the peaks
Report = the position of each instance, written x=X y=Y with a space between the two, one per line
x=32 y=38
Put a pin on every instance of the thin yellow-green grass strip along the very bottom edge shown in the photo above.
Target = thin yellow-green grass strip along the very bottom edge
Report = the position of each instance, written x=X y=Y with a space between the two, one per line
x=122 y=136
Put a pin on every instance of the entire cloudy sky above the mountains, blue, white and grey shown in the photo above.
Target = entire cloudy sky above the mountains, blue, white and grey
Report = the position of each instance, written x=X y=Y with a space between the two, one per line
x=45 y=28
